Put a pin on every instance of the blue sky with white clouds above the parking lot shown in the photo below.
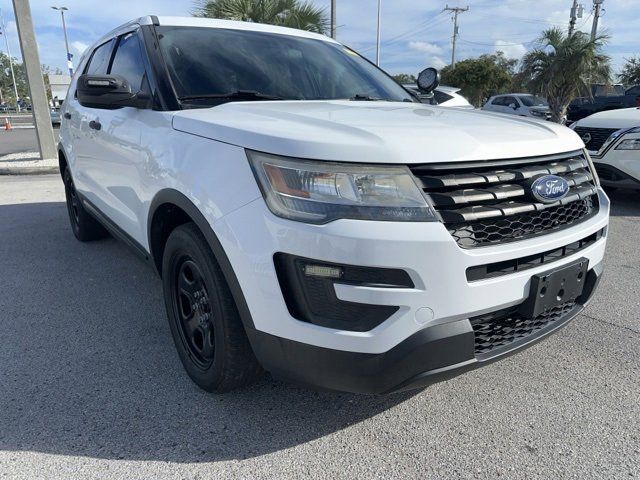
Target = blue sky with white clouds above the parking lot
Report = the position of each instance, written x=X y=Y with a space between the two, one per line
x=415 y=34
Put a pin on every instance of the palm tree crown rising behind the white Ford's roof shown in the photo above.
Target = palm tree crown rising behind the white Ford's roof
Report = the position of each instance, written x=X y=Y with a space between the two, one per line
x=286 y=13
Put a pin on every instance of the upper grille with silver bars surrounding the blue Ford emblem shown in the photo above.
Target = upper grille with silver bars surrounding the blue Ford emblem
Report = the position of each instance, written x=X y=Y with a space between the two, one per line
x=485 y=203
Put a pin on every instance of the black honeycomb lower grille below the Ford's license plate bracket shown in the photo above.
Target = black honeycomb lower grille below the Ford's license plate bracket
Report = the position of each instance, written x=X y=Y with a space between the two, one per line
x=501 y=328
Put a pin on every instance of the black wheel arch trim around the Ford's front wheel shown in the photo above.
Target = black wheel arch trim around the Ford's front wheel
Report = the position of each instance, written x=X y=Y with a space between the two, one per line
x=168 y=200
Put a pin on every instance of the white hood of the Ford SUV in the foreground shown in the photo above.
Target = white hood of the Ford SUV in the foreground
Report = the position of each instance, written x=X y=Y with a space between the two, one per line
x=375 y=132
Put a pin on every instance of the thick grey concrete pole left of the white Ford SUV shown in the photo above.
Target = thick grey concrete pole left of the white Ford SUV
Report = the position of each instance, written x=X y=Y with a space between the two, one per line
x=31 y=61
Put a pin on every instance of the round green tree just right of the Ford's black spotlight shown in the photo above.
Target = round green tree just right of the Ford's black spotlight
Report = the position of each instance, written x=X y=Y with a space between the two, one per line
x=480 y=77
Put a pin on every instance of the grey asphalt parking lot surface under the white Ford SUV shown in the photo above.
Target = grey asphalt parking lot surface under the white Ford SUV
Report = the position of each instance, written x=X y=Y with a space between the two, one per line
x=91 y=385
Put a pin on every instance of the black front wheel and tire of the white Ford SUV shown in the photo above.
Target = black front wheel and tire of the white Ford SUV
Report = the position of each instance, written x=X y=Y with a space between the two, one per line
x=204 y=320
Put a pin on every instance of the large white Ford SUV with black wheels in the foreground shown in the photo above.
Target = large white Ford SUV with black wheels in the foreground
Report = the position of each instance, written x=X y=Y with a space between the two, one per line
x=308 y=217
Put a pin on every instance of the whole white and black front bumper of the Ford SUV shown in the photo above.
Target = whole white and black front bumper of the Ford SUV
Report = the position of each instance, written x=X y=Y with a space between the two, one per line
x=429 y=337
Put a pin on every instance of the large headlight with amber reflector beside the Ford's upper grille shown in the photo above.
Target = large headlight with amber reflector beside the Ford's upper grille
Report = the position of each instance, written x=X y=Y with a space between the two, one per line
x=319 y=192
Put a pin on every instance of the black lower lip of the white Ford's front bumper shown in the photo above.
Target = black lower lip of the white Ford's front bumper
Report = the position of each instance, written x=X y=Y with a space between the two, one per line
x=430 y=355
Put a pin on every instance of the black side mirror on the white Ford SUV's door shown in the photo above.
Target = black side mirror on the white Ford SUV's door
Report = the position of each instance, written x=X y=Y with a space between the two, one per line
x=108 y=91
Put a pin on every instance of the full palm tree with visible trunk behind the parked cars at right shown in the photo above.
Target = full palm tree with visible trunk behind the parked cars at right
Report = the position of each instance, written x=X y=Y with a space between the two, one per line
x=562 y=67
